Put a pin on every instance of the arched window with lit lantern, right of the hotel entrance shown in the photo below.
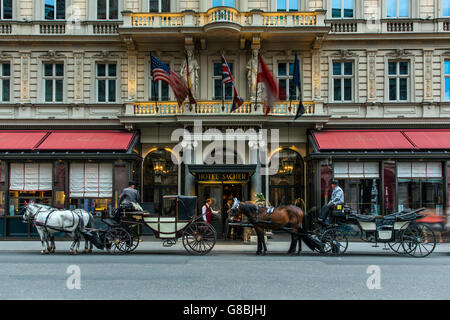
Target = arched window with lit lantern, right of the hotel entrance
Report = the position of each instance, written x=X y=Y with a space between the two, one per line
x=286 y=187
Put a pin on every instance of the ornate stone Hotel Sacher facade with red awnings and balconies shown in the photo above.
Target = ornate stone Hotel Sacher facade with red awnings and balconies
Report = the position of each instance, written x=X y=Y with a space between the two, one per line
x=80 y=115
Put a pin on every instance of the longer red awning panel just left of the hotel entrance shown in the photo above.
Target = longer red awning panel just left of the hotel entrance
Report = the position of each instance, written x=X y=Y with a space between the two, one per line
x=87 y=140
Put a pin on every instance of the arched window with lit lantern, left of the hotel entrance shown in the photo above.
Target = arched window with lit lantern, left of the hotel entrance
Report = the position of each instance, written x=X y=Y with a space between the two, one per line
x=160 y=179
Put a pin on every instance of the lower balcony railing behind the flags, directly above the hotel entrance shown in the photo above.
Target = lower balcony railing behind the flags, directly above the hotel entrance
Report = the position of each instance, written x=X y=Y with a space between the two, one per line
x=171 y=108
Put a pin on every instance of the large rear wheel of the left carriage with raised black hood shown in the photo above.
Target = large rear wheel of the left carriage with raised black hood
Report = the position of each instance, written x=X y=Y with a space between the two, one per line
x=199 y=238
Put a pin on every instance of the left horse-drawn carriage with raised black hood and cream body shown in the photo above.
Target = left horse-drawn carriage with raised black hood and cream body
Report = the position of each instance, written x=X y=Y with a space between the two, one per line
x=177 y=219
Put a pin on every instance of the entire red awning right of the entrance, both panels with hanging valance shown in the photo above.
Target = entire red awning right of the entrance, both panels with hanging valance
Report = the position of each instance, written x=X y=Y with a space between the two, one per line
x=388 y=142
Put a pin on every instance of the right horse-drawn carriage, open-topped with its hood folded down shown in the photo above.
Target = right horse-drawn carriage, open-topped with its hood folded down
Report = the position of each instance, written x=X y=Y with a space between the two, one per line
x=400 y=231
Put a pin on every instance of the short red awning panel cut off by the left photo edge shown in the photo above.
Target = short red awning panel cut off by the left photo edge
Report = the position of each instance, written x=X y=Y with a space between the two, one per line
x=20 y=140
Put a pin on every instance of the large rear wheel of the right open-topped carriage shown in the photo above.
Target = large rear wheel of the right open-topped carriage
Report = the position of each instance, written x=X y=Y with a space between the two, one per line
x=418 y=240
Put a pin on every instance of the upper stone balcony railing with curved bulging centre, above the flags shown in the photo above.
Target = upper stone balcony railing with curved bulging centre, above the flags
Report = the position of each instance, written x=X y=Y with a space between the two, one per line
x=223 y=15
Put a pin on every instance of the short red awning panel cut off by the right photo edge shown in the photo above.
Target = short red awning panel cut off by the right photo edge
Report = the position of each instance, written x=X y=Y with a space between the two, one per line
x=429 y=139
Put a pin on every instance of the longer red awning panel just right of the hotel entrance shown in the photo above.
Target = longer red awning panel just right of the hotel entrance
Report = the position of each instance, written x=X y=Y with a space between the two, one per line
x=362 y=140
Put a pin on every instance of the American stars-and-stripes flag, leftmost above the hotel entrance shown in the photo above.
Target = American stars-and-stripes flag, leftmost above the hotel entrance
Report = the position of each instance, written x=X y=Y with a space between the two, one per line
x=161 y=71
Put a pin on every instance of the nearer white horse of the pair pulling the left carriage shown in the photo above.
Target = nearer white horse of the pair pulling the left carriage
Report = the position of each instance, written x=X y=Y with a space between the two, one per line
x=49 y=221
